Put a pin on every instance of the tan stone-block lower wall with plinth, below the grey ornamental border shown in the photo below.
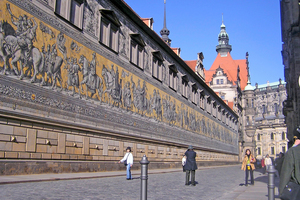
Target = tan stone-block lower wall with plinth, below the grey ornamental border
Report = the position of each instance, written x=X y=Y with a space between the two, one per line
x=32 y=148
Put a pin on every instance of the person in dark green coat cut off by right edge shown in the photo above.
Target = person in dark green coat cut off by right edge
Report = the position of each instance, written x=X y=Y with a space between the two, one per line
x=290 y=171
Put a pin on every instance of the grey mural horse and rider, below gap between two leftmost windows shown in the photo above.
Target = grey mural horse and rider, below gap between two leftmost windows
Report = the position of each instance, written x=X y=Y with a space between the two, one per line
x=92 y=81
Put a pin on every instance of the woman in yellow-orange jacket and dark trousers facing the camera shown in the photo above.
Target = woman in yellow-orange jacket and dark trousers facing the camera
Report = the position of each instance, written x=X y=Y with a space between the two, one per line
x=248 y=166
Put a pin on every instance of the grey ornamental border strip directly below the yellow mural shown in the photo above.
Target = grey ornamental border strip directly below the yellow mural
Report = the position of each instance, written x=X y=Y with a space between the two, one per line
x=42 y=99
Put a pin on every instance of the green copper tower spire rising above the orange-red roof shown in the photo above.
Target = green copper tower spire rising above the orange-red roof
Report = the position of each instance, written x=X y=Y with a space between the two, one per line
x=223 y=48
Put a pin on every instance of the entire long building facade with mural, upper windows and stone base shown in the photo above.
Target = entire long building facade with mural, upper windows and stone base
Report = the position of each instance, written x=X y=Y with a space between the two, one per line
x=82 y=80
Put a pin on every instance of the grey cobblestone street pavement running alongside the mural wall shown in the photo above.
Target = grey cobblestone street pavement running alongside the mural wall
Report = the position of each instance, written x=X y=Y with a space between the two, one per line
x=212 y=184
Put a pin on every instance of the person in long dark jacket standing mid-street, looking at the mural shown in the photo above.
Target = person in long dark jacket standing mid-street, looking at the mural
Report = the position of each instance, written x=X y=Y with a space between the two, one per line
x=190 y=165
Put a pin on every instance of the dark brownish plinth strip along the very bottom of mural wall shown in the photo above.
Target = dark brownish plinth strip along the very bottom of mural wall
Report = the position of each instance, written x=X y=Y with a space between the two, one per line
x=18 y=167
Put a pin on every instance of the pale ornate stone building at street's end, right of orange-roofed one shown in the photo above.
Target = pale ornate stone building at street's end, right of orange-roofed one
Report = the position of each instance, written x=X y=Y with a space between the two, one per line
x=264 y=121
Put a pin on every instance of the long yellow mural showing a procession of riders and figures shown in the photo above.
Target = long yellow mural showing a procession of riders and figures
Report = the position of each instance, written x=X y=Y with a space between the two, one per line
x=34 y=51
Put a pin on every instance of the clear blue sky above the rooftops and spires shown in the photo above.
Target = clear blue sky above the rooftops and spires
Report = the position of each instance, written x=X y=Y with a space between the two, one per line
x=253 y=26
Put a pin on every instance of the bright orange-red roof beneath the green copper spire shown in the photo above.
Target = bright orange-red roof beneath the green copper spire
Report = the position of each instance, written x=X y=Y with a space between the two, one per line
x=230 y=67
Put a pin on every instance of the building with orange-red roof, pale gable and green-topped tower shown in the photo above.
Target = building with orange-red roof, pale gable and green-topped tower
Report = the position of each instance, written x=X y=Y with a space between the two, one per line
x=227 y=77
